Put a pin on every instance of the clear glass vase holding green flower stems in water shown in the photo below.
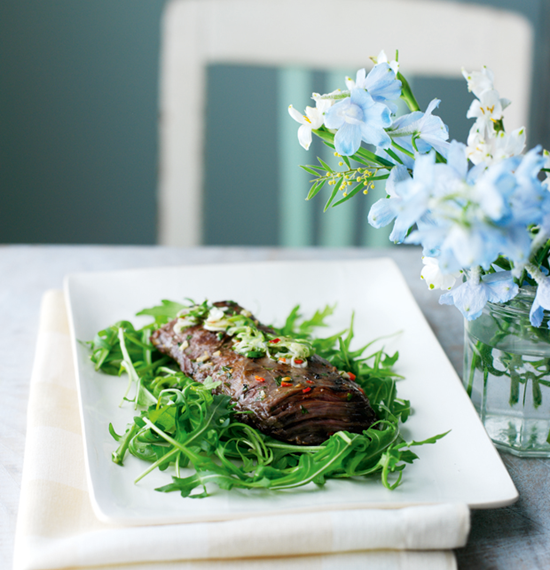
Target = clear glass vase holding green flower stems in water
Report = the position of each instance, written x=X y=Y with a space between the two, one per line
x=507 y=375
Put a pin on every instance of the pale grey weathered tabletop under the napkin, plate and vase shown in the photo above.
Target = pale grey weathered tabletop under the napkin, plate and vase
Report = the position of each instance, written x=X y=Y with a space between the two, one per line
x=514 y=537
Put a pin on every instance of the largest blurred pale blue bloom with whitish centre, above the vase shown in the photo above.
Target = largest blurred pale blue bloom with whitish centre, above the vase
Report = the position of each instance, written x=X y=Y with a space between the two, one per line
x=473 y=218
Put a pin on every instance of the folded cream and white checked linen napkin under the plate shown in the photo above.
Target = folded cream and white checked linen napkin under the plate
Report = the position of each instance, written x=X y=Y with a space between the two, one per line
x=57 y=528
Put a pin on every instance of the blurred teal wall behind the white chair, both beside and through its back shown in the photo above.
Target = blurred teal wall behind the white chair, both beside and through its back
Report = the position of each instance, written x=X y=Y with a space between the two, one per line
x=78 y=131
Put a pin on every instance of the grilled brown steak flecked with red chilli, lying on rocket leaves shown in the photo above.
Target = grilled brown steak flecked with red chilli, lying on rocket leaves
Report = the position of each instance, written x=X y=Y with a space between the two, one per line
x=299 y=405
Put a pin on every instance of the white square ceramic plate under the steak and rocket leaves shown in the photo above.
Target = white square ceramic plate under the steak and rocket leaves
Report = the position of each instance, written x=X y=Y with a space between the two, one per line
x=462 y=467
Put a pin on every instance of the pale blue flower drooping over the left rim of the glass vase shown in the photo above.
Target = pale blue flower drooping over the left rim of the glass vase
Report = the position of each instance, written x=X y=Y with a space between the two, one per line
x=472 y=296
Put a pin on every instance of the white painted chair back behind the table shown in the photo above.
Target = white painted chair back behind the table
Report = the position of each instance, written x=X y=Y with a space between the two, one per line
x=435 y=38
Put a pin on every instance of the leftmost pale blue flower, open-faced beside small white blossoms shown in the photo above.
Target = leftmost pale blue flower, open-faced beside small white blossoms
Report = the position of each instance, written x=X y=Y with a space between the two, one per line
x=358 y=118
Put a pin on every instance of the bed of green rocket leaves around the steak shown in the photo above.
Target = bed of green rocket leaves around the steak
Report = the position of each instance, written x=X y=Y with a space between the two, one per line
x=182 y=427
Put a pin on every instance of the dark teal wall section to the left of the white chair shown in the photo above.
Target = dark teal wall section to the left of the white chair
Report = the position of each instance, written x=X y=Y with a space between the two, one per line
x=78 y=120
